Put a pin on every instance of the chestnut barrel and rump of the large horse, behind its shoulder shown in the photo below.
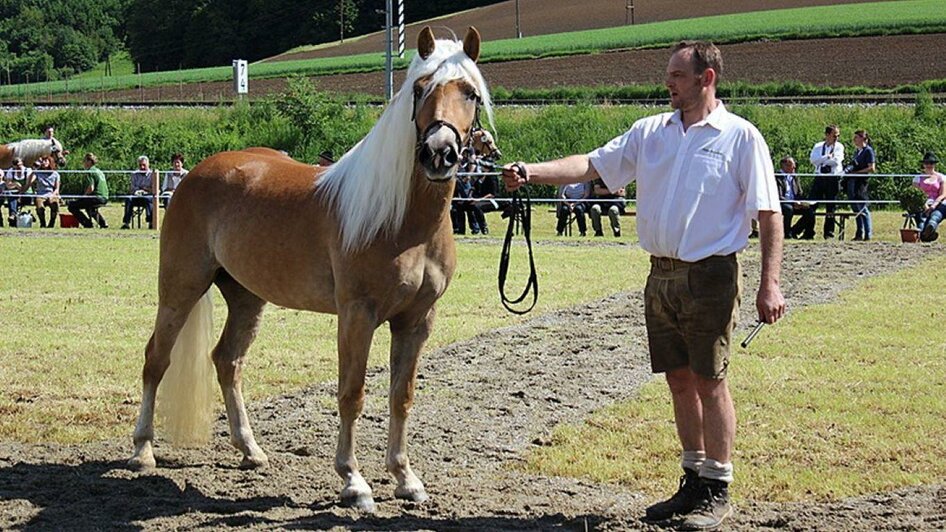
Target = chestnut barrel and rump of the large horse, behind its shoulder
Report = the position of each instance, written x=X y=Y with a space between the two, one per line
x=255 y=214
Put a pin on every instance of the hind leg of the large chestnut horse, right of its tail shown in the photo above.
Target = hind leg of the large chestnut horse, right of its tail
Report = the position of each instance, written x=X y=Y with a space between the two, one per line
x=243 y=318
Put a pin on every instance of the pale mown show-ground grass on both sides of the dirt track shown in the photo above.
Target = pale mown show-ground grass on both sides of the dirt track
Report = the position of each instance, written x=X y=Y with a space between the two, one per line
x=81 y=306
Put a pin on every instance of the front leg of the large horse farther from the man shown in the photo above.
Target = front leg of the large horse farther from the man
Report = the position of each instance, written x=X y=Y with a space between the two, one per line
x=356 y=324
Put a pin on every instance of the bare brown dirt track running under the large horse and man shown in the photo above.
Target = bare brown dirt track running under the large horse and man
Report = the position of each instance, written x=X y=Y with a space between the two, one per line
x=481 y=405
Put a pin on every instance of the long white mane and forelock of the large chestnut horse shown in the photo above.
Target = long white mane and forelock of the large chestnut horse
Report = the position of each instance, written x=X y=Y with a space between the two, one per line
x=369 y=187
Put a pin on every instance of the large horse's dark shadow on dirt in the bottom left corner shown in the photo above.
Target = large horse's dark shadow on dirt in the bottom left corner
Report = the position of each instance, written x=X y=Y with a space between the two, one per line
x=94 y=495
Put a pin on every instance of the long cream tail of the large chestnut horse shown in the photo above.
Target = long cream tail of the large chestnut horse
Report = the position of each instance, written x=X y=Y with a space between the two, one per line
x=186 y=394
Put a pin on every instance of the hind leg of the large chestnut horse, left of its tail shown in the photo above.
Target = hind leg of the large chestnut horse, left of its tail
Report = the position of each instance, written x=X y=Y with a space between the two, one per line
x=173 y=310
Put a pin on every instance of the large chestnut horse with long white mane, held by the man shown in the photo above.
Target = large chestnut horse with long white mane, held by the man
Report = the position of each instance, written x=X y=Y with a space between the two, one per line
x=369 y=240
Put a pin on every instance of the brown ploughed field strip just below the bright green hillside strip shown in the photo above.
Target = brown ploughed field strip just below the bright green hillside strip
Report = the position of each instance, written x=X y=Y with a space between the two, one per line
x=894 y=60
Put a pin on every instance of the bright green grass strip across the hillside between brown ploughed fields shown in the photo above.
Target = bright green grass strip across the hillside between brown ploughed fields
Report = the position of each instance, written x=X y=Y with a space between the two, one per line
x=880 y=18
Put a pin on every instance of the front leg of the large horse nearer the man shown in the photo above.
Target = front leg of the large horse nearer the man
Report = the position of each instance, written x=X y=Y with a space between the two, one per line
x=407 y=339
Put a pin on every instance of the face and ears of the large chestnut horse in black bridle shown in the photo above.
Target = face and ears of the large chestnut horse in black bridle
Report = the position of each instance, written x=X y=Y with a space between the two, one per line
x=446 y=105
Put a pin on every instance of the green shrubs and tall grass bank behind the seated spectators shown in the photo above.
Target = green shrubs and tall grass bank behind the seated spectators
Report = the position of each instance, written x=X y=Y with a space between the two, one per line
x=304 y=121
